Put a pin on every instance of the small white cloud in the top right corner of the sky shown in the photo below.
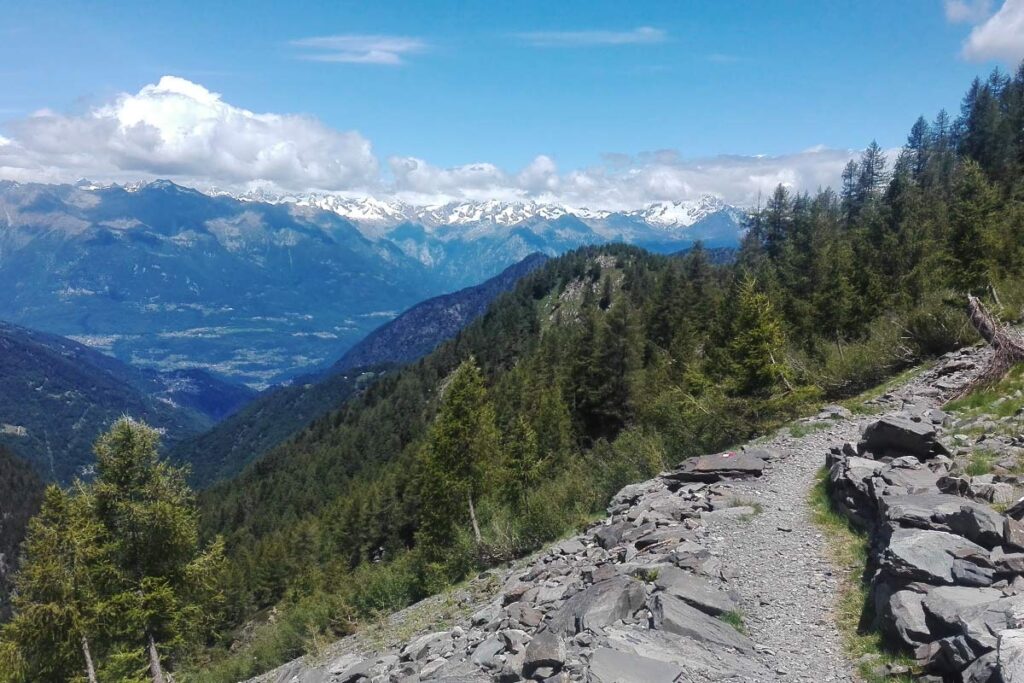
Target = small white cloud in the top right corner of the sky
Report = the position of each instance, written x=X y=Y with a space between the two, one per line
x=1000 y=36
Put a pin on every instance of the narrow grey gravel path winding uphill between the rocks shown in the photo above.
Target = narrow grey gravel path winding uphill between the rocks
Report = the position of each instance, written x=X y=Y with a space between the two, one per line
x=779 y=561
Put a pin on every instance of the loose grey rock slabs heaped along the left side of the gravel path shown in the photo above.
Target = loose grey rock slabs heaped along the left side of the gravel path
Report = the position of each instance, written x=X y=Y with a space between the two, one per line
x=637 y=599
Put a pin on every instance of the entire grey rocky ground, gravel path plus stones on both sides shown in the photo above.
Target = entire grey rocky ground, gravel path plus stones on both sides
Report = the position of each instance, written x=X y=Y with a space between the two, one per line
x=715 y=572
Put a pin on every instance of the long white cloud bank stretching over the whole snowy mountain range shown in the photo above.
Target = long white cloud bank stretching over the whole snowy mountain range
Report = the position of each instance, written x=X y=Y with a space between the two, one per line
x=181 y=131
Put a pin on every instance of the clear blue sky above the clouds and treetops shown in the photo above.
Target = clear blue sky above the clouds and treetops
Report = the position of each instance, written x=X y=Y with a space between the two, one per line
x=455 y=83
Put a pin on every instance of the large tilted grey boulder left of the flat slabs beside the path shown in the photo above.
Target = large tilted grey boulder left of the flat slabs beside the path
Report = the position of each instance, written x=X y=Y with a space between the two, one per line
x=602 y=605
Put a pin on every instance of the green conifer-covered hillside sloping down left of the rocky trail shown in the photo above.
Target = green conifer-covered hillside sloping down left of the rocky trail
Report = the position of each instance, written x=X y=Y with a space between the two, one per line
x=610 y=363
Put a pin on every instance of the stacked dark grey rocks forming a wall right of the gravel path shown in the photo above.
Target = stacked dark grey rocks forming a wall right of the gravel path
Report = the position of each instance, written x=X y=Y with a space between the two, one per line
x=948 y=579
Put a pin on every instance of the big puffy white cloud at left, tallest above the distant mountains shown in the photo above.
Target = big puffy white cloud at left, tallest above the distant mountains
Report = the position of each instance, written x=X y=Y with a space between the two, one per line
x=180 y=130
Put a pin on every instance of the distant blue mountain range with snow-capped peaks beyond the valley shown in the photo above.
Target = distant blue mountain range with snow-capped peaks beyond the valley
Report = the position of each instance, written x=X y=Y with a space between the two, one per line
x=264 y=289
